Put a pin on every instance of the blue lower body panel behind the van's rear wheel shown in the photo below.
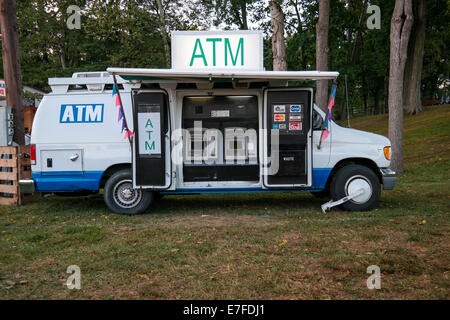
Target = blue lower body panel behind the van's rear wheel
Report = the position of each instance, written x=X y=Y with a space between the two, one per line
x=67 y=180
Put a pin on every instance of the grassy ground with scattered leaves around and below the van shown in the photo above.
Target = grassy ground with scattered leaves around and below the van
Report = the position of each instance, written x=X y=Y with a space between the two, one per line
x=248 y=246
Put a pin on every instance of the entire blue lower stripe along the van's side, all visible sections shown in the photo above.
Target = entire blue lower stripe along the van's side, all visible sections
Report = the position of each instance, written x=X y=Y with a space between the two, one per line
x=90 y=180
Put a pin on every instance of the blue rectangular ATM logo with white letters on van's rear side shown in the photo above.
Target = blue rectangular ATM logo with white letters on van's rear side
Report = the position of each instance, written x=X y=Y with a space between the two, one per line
x=81 y=113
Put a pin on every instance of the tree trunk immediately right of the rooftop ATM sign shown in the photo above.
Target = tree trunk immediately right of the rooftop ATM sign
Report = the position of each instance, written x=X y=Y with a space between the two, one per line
x=278 y=45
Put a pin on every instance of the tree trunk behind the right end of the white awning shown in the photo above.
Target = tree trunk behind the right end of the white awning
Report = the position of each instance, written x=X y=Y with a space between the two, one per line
x=322 y=52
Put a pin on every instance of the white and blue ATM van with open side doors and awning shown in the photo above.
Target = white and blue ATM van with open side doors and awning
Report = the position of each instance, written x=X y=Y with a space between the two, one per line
x=211 y=132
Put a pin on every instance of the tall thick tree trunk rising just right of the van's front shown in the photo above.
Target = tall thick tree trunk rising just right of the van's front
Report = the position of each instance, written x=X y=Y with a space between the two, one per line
x=401 y=24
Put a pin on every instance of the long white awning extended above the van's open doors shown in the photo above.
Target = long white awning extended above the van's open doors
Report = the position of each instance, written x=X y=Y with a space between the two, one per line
x=172 y=74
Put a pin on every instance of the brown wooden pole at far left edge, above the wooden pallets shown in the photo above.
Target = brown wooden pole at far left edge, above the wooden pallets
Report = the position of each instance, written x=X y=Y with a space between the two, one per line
x=11 y=66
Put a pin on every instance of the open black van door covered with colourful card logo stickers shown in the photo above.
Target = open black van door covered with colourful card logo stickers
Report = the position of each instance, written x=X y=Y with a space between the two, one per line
x=287 y=112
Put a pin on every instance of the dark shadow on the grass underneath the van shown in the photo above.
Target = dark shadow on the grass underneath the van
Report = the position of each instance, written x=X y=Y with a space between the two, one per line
x=254 y=204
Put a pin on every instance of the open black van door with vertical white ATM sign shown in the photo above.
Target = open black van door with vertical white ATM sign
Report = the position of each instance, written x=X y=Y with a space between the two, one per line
x=151 y=148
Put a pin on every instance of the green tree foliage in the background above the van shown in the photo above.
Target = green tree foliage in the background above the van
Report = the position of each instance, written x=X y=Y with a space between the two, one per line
x=129 y=34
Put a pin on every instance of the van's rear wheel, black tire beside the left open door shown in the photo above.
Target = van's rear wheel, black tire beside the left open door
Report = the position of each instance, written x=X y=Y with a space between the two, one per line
x=121 y=198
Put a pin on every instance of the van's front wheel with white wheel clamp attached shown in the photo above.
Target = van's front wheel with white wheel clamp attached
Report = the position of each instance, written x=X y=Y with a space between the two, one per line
x=355 y=177
